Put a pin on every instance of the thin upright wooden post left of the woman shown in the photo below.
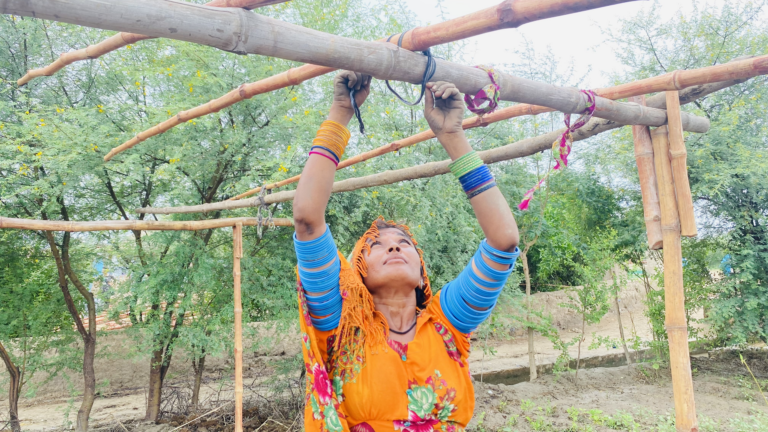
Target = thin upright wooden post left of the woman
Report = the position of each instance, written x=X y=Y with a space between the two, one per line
x=237 y=247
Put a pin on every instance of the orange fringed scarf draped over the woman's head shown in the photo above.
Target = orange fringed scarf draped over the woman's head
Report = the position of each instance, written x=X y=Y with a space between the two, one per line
x=360 y=322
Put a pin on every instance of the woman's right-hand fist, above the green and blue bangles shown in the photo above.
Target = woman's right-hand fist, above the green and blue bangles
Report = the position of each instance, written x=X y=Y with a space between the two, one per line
x=444 y=109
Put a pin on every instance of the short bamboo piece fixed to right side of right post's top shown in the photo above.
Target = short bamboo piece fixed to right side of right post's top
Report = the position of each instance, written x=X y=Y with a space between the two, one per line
x=679 y=155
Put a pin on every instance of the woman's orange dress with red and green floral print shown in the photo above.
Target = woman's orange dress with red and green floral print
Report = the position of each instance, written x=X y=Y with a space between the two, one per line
x=420 y=386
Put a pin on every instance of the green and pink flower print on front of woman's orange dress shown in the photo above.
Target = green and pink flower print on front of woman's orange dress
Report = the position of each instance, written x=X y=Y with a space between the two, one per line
x=427 y=410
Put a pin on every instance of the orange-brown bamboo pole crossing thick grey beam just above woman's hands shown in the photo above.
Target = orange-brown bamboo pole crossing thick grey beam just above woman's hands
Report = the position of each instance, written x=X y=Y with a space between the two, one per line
x=508 y=14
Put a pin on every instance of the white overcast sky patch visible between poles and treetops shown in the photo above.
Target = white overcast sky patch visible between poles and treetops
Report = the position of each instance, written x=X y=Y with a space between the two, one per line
x=560 y=33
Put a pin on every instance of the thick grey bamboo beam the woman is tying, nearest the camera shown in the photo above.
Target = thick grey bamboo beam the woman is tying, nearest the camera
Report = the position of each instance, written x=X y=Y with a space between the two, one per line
x=241 y=32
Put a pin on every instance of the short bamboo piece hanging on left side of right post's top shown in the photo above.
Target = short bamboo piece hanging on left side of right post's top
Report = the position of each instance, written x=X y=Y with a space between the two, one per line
x=647 y=174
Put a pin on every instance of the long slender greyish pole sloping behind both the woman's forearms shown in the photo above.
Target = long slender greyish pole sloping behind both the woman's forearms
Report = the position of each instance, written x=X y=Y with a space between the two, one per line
x=515 y=150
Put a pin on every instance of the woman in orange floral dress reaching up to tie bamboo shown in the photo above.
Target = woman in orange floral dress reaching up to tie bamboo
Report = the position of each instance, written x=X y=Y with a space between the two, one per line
x=381 y=352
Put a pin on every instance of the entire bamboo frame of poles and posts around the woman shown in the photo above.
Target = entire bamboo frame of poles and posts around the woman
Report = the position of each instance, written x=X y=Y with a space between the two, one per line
x=236 y=31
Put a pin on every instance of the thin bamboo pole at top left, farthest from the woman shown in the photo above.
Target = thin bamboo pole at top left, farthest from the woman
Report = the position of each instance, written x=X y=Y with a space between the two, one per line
x=120 y=40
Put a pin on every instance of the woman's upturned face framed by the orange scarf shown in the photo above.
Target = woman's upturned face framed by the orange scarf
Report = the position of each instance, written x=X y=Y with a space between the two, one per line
x=393 y=261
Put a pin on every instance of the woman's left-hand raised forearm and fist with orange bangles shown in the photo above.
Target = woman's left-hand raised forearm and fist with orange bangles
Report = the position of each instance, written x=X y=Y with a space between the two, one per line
x=314 y=189
